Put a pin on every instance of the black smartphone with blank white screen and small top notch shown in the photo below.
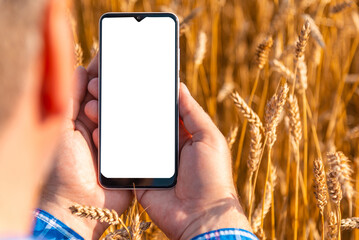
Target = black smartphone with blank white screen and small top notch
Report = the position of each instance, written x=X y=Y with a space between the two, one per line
x=138 y=100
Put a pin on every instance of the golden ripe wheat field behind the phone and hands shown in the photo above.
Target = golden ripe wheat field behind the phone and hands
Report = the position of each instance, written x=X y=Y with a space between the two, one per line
x=280 y=79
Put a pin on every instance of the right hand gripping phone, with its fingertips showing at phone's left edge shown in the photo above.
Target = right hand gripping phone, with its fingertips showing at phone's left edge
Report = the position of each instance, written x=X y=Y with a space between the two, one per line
x=204 y=198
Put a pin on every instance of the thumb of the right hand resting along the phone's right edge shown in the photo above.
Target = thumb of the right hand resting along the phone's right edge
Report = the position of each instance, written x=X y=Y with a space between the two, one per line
x=195 y=119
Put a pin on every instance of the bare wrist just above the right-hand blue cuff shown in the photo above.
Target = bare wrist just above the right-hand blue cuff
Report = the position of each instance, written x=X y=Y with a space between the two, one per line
x=230 y=216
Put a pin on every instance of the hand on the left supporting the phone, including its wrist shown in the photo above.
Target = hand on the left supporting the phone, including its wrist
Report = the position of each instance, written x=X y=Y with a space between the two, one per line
x=73 y=178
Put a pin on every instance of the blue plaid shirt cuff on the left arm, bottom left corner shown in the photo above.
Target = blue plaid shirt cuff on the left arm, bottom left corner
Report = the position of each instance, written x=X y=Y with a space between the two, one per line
x=48 y=227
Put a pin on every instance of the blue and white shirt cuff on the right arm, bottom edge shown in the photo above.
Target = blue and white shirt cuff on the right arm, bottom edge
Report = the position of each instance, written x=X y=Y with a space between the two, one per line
x=227 y=234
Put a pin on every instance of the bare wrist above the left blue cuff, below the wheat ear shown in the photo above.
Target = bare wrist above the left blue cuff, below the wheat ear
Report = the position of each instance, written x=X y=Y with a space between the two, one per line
x=59 y=208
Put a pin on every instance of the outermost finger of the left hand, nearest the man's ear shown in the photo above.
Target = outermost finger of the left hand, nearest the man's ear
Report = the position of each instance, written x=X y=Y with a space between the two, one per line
x=81 y=78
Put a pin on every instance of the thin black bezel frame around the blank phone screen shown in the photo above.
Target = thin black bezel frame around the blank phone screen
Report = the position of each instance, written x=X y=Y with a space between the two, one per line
x=140 y=183
